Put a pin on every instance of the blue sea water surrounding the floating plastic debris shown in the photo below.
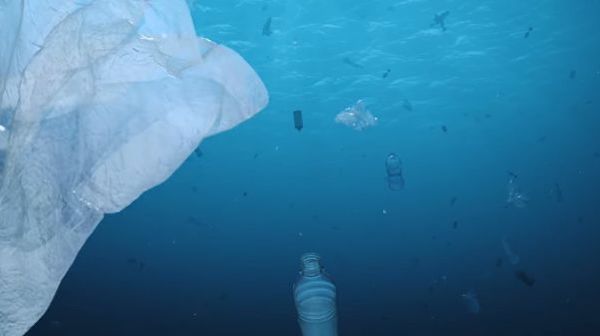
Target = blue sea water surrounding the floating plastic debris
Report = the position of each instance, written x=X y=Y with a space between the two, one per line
x=214 y=250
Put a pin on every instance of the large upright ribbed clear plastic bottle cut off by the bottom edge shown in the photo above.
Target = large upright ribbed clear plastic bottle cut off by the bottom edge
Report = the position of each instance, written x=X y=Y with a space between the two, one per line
x=315 y=298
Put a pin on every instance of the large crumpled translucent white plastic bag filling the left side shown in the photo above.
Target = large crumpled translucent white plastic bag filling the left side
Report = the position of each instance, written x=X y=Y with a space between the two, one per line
x=101 y=100
